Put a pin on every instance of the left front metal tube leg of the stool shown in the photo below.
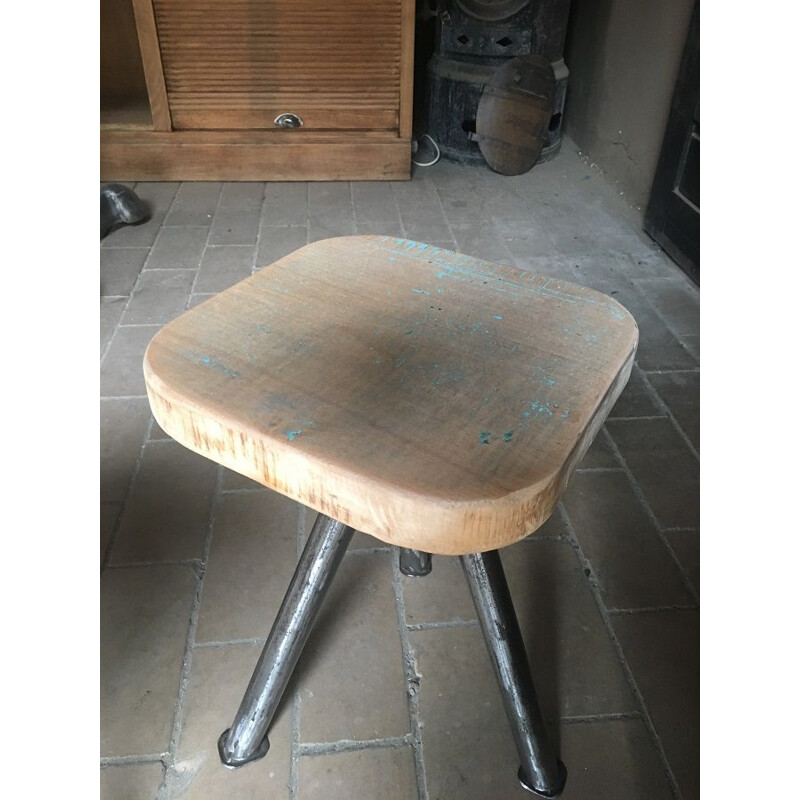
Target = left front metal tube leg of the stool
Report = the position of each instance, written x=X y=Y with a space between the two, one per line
x=246 y=740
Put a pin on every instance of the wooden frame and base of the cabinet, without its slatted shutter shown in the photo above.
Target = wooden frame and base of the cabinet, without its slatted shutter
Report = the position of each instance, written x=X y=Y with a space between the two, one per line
x=157 y=151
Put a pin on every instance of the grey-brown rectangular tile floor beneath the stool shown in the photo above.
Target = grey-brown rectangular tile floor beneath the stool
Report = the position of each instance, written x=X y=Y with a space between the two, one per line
x=394 y=697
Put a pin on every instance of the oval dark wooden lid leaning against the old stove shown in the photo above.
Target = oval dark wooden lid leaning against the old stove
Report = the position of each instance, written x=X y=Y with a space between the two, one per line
x=514 y=112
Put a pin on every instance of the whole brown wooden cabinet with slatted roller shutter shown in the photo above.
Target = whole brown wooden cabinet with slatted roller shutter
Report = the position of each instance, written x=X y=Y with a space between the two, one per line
x=199 y=89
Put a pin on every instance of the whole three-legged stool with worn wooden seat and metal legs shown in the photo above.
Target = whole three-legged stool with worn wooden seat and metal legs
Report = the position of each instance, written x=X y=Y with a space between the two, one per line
x=435 y=401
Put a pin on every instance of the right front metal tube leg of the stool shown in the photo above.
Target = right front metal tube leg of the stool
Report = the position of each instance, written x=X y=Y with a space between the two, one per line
x=541 y=773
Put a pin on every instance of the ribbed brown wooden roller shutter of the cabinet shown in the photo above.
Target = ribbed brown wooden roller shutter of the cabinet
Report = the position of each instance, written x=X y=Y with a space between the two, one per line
x=241 y=63
